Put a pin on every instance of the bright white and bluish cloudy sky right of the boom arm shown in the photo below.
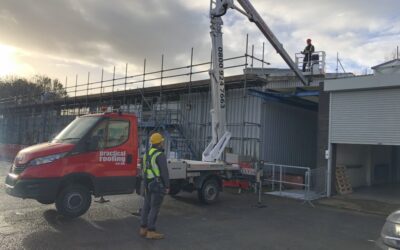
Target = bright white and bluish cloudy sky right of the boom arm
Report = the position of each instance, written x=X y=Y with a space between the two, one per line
x=360 y=32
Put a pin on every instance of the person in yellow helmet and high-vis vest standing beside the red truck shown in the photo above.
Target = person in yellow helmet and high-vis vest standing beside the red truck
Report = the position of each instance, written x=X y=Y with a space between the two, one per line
x=156 y=177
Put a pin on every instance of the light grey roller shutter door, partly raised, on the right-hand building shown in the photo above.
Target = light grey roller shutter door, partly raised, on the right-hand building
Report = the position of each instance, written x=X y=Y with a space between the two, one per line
x=366 y=117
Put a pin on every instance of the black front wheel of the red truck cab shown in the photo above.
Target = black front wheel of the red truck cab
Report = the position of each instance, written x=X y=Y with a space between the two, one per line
x=73 y=201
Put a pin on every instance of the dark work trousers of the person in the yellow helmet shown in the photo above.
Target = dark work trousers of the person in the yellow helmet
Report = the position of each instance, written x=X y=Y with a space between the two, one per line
x=151 y=208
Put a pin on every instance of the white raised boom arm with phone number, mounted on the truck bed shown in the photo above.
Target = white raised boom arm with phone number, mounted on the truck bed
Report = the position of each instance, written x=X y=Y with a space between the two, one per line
x=218 y=8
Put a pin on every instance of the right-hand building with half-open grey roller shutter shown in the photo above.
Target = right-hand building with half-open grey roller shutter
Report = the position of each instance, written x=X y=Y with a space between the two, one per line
x=364 y=128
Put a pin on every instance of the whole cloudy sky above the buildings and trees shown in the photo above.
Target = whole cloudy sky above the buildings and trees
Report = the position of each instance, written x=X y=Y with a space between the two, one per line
x=66 y=38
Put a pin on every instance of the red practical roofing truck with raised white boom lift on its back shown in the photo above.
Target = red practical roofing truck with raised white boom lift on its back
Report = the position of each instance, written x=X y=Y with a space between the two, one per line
x=96 y=154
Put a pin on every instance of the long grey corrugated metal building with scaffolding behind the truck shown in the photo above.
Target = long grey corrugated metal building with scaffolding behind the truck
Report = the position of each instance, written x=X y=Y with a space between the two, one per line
x=265 y=107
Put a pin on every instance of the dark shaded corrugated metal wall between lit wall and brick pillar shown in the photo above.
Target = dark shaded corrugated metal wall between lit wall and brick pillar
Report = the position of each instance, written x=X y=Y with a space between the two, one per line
x=289 y=135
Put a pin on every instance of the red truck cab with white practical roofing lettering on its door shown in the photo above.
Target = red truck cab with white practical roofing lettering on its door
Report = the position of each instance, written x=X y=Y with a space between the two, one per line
x=95 y=155
